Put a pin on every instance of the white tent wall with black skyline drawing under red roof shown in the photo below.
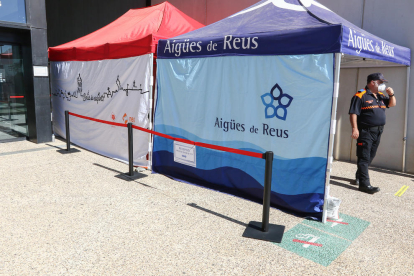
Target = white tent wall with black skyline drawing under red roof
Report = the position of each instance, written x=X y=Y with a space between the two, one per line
x=111 y=90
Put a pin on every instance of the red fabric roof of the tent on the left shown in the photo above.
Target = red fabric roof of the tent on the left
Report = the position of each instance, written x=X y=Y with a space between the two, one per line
x=135 y=33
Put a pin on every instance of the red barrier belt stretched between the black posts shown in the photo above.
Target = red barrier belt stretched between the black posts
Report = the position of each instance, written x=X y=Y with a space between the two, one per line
x=204 y=145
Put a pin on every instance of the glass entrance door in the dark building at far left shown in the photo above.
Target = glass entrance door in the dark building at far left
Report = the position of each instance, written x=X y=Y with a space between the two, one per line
x=13 y=111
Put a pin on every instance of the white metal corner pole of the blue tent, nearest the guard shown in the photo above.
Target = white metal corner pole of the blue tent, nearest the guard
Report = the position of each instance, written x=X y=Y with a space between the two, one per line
x=332 y=132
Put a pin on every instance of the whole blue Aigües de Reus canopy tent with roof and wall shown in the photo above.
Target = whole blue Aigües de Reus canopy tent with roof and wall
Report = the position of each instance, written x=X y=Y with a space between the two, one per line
x=266 y=78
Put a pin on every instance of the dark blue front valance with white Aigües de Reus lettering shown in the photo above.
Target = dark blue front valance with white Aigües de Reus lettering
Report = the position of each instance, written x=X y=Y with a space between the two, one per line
x=325 y=39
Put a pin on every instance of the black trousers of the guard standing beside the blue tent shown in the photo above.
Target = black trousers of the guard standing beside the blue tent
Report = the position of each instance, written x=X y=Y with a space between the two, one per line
x=367 y=145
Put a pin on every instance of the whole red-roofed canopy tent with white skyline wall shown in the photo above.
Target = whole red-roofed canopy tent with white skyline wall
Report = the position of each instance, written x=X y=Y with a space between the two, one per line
x=116 y=58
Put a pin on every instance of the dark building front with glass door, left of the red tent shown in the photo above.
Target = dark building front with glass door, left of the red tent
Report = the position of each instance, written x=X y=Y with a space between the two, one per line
x=24 y=81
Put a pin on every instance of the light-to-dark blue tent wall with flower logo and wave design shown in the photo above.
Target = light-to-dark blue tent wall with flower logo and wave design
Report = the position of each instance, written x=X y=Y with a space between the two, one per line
x=256 y=103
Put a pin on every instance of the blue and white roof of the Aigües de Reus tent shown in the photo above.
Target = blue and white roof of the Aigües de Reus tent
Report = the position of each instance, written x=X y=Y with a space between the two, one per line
x=283 y=27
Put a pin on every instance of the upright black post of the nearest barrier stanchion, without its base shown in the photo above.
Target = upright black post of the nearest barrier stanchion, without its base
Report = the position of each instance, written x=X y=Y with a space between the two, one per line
x=267 y=190
